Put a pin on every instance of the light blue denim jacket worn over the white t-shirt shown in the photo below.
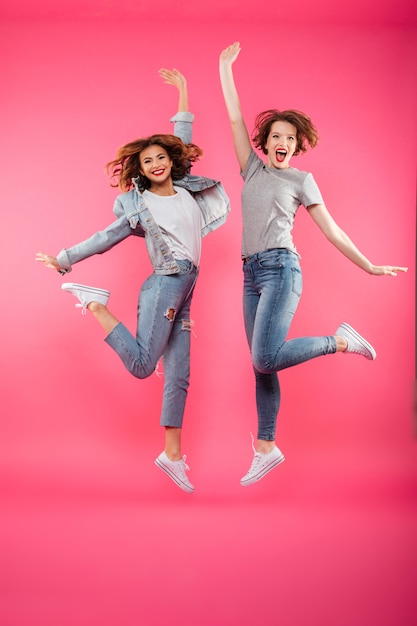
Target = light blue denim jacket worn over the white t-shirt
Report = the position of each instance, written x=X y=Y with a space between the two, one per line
x=134 y=218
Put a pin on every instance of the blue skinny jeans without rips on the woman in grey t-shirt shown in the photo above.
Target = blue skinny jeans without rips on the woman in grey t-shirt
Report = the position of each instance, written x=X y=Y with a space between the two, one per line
x=272 y=290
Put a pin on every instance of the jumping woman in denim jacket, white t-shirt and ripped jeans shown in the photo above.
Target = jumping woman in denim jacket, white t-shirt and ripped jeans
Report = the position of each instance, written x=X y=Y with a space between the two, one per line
x=172 y=210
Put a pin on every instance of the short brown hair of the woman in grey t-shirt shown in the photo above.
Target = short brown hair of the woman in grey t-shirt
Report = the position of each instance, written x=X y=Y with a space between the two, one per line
x=306 y=131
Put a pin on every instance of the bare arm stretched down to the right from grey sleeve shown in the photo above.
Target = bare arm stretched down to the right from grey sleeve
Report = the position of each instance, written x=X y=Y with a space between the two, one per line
x=345 y=245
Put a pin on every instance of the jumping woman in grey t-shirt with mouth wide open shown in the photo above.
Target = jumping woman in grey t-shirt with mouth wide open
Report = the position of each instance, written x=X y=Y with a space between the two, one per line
x=271 y=195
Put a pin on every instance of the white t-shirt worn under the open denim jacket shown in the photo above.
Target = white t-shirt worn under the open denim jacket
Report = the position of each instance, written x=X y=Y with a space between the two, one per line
x=180 y=221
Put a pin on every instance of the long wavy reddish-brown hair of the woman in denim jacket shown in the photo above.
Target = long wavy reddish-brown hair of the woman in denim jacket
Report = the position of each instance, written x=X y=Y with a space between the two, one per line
x=126 y=165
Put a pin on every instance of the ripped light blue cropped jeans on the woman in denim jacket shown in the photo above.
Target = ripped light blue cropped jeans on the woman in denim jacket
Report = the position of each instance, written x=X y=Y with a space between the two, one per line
x=164 y=329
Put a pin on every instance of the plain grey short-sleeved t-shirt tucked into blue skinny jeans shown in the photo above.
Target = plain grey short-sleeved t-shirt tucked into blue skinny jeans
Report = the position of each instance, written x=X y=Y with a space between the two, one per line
x=270 y=200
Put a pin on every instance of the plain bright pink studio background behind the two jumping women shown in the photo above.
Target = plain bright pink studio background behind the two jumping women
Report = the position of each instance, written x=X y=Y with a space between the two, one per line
x=91 y=532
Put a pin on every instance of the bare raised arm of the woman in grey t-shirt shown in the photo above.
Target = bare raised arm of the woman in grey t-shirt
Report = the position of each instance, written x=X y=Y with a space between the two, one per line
x=239 y=131
